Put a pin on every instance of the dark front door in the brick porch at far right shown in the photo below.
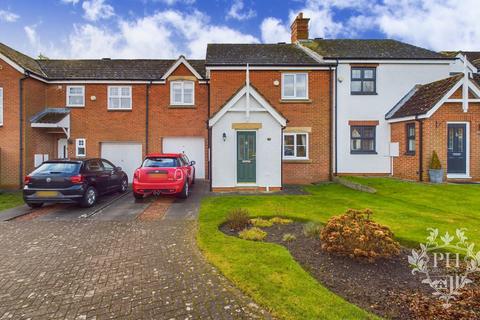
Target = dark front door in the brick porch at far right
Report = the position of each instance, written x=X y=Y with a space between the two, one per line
x=457 y=148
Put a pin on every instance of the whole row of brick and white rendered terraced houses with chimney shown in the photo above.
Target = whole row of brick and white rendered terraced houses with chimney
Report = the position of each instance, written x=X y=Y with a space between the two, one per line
x=252 y=116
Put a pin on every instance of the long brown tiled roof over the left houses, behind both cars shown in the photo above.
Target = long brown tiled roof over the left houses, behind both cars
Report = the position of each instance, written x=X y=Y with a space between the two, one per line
x=97 y=69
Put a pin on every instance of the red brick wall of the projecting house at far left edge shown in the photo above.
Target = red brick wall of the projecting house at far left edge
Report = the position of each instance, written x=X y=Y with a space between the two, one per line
x=9 y=132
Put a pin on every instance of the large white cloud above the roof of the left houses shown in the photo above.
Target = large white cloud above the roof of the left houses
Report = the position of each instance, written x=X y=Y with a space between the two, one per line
x=166 y=34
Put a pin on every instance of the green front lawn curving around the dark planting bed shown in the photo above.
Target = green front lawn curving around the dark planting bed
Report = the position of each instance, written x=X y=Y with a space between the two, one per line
x=269 y=274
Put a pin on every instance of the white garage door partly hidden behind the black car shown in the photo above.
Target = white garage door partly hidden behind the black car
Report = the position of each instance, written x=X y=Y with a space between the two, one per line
x=125 y=155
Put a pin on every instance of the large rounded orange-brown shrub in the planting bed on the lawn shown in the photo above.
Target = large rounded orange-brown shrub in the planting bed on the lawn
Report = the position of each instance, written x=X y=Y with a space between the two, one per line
x=355 y=235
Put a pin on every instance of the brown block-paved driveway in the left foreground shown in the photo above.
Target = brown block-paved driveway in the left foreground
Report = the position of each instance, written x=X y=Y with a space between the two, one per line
x=122 y=269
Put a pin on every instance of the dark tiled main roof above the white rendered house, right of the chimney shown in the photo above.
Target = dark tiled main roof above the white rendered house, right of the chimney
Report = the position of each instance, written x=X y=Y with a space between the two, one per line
x=369 y=49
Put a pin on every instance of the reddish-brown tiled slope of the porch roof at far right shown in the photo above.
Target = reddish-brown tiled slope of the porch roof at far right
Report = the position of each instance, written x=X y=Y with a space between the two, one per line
x=423 y=98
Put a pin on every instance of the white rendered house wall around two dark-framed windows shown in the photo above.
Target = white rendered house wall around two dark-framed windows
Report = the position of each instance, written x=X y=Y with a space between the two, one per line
x=394 y=81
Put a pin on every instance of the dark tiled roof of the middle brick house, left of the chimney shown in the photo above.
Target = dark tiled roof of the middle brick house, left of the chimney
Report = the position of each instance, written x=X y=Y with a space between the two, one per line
x=257 y=54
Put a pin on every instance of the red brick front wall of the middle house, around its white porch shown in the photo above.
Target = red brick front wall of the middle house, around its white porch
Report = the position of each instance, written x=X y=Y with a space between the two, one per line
x=314 y=114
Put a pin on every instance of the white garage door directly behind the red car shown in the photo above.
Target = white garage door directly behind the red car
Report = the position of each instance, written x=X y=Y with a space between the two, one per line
x=193 y=147
